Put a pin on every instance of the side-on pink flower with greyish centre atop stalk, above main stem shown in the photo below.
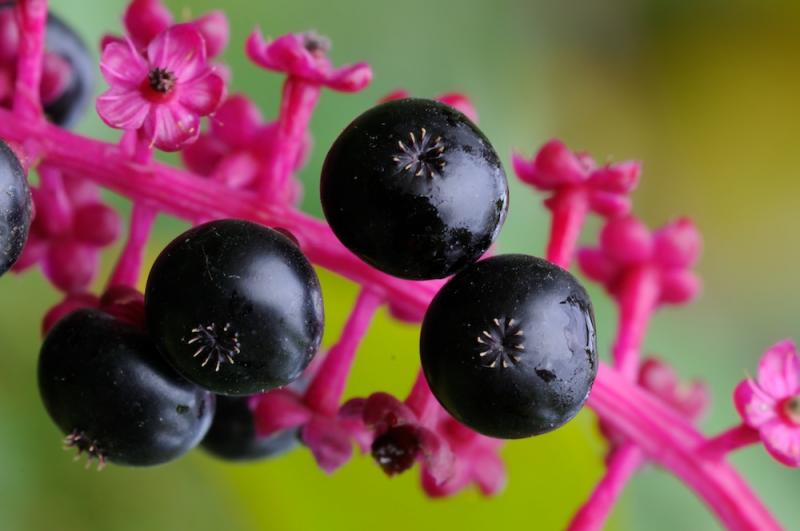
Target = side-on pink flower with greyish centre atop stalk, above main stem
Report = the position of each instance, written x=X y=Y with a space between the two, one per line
x=304 y=55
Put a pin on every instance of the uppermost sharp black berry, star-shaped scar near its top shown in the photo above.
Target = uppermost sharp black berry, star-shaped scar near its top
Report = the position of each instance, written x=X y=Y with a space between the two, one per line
x=414 y=188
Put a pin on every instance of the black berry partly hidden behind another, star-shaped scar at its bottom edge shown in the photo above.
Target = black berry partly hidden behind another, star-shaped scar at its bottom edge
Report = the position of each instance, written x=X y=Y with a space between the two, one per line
x=114 y=397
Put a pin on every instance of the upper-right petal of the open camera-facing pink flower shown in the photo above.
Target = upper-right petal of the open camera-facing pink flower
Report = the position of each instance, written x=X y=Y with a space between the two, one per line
x=180 y=50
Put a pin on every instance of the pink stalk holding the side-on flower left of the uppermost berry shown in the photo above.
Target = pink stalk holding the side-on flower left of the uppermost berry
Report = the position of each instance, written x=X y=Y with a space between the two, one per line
x=297 y=105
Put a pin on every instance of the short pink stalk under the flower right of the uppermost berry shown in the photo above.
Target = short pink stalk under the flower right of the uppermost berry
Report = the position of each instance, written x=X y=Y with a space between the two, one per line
x=569 y=208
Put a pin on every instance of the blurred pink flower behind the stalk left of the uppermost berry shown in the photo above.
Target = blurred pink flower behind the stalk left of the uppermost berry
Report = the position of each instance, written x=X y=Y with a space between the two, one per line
x=237 y=146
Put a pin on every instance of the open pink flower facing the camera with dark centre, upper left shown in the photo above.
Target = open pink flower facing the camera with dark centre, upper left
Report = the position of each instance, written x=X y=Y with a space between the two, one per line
x=163 y=94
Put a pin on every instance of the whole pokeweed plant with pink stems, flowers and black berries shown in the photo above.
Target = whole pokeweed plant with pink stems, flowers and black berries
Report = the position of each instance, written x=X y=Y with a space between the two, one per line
x=508 y=347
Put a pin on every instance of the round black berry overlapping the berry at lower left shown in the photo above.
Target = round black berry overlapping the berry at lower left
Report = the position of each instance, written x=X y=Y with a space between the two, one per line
x=235 y=307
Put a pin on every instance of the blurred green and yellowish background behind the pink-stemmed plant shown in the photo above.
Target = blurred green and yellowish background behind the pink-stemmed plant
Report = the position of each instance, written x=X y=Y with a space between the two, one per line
x=704 y=93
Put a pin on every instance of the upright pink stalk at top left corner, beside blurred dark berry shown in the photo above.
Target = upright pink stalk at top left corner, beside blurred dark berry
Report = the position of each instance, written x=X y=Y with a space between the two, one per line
x=32 y=20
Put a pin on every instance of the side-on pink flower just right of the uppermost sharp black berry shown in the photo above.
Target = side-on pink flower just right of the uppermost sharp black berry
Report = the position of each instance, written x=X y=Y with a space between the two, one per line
x=556 y=169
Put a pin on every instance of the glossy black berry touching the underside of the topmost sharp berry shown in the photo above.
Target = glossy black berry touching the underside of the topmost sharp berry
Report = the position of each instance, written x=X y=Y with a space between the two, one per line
x=508 y=346
